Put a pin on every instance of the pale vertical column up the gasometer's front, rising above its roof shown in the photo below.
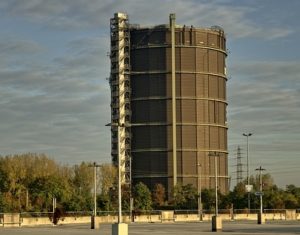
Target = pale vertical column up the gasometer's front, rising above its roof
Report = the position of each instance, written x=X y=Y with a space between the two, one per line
x=173 y=76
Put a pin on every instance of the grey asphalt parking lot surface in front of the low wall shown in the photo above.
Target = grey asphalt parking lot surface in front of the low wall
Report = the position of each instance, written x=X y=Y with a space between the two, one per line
x=235 y=228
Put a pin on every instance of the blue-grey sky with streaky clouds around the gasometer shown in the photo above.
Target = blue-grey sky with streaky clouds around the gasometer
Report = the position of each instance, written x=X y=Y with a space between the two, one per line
x=54 y=97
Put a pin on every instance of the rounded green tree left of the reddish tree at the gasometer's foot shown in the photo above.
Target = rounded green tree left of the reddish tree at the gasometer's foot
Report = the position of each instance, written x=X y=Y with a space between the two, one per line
x=142 y=197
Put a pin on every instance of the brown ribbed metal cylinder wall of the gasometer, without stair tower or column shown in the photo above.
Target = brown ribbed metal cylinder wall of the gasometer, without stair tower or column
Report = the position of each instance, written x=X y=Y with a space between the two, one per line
x=200 y=106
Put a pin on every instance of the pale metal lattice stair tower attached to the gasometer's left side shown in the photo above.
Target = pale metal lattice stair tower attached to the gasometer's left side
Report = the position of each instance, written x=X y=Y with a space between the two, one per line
x=120 y=93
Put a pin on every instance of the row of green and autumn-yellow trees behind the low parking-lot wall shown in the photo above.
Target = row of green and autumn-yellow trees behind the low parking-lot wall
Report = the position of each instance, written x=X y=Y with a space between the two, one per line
x=29 y=182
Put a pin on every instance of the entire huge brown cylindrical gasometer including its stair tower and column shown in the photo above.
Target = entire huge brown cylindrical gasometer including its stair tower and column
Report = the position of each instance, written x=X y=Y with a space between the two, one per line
x=168 y=96
